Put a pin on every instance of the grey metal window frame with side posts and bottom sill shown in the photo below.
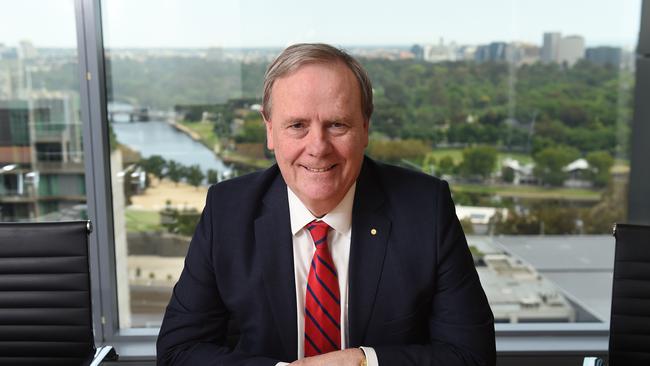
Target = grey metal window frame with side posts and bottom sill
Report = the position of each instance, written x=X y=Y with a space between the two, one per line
x=139 y=343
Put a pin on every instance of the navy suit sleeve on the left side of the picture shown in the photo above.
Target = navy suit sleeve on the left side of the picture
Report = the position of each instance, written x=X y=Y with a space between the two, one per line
x=194 y=329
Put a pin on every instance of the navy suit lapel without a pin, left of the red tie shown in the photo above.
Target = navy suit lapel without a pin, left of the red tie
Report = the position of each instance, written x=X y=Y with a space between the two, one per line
x=273 y=237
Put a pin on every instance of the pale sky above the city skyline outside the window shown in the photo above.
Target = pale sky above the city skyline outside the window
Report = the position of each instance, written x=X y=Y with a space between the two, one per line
x=278 y=23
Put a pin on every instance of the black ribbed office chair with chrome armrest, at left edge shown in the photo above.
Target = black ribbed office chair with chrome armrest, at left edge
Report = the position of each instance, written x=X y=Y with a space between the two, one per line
x=45 y=306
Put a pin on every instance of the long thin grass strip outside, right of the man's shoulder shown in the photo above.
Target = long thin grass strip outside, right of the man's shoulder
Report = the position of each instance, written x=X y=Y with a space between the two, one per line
x=577 y=194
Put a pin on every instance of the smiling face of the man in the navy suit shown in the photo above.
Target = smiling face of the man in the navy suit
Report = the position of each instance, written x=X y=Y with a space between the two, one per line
x=318 y=133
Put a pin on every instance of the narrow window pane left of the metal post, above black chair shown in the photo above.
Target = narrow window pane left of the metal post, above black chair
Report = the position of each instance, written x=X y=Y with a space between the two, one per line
x=41 y=157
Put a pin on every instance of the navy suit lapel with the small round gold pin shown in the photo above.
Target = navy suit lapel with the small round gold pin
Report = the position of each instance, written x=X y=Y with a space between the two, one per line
x=370 y=233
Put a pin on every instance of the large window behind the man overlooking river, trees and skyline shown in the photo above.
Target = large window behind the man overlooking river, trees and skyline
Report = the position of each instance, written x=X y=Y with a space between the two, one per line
x=524 y=108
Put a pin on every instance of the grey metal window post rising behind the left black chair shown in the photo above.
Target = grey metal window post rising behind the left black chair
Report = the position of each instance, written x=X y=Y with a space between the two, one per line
x=97 y=166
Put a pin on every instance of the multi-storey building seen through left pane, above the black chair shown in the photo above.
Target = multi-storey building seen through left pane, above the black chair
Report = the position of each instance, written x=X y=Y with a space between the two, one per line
x=41 y=158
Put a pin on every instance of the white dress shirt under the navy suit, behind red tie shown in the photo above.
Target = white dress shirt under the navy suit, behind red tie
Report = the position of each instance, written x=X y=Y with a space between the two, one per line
x=338 y=239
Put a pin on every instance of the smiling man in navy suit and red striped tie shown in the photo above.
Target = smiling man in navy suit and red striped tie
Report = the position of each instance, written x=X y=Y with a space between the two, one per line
x=402 y=288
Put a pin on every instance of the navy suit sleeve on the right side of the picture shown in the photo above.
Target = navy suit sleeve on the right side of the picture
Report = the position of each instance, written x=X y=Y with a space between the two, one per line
x=461 y=324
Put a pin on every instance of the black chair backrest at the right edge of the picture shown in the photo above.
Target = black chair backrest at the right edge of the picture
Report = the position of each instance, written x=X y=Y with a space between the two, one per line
x=629 y=337
